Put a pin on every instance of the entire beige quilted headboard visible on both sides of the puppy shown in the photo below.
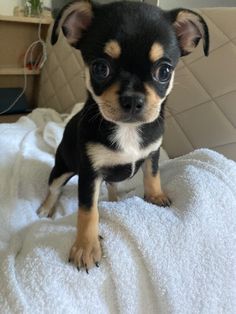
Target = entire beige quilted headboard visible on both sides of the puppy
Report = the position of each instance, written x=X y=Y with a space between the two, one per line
x=202 y=106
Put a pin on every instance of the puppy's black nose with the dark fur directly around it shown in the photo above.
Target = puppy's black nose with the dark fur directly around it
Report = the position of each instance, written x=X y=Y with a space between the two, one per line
x=132 y=104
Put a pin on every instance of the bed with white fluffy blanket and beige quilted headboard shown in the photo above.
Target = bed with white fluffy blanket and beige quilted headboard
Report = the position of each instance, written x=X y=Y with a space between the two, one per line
x=156 y=260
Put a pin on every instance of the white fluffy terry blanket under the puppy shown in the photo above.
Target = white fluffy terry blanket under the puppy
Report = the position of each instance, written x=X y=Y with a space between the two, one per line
x=156 y=260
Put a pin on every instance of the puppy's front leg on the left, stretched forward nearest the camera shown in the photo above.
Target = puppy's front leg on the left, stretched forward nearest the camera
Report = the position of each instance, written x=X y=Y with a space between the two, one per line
x=86 y=250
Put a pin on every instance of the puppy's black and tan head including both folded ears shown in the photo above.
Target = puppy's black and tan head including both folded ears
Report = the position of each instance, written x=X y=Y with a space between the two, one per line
x=130 y=52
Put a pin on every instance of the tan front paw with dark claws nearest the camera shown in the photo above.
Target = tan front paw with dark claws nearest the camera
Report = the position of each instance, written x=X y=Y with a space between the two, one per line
x=86 y=252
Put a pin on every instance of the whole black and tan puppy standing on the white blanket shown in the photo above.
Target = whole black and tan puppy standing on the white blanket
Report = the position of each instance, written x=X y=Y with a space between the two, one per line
x=130 y=52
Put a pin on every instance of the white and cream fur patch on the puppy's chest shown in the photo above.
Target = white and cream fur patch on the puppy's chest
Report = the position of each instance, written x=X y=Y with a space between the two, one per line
x=128 y=141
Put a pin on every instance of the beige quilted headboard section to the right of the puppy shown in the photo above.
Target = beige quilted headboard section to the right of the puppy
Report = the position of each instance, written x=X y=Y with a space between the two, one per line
x=202 y=106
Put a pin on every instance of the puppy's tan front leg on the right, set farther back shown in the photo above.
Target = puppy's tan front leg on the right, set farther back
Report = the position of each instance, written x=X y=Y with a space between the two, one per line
x=152 y=183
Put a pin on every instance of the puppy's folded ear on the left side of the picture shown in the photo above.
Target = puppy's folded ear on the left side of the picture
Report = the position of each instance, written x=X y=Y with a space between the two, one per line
x=74 y=19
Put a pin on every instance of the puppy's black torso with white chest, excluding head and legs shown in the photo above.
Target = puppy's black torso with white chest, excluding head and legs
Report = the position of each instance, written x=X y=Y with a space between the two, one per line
x=106 y=144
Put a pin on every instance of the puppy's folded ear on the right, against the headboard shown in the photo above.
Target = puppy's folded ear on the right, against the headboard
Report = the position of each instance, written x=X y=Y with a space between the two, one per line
x=190 y=28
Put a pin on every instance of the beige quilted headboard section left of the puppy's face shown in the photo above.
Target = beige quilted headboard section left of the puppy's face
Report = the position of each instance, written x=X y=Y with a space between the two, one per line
x=62 y=78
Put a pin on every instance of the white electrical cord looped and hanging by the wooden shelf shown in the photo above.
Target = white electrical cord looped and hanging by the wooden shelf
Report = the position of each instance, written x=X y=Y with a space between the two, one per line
x=40 y=61
